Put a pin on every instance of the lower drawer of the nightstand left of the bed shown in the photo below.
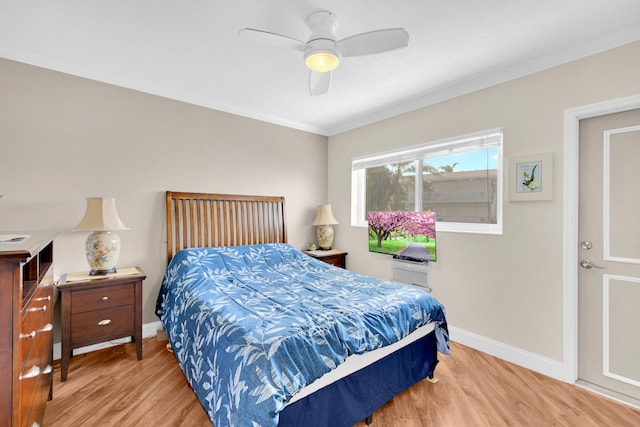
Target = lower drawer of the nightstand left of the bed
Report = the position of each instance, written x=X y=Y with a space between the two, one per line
x=103 y=323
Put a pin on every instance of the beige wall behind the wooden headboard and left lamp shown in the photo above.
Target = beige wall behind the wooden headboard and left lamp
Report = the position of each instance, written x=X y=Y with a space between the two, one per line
x=64 y=138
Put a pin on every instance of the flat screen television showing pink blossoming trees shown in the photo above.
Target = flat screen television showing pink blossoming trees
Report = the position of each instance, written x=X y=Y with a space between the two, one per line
x=405 y=235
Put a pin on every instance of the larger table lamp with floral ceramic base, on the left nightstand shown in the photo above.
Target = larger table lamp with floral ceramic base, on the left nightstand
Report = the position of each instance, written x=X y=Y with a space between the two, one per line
x=103 y=244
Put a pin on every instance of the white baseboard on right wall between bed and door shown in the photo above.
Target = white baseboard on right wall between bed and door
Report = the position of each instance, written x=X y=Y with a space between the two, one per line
x=543 y=365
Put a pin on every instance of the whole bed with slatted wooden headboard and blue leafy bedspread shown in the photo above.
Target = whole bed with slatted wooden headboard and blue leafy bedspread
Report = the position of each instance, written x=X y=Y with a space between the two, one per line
x=267 y=335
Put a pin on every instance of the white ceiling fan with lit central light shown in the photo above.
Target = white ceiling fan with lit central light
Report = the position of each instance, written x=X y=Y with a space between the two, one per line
x=322 y=52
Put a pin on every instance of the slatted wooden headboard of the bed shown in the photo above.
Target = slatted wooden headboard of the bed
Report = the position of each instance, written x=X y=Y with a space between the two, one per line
x=198 y=220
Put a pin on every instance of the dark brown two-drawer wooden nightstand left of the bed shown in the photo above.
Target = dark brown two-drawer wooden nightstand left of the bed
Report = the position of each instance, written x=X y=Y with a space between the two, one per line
x=95 y=309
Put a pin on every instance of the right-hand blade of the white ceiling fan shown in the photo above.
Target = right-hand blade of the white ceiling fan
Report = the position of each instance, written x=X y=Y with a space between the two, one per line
x=374 y=42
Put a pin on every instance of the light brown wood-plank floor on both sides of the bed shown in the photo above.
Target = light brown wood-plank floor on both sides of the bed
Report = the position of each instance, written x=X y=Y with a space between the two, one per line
x=110 y=387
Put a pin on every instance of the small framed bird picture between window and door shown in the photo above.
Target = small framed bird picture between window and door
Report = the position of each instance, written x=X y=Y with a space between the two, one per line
x=531 y=177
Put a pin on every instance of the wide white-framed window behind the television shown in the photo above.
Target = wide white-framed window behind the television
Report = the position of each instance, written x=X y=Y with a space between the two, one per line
x=460 y=179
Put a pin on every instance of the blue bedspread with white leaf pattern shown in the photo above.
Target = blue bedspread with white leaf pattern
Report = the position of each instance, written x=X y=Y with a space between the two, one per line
x=252 y=325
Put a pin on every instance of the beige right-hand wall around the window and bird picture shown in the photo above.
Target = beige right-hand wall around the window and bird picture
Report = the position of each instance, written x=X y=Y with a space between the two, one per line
x=505 y=288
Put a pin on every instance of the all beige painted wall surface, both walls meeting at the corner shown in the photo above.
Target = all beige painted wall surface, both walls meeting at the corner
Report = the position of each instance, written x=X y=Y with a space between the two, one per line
x=64 y=138
